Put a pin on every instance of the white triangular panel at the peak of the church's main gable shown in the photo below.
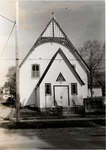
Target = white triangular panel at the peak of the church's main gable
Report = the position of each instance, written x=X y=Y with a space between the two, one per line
x=53 y=29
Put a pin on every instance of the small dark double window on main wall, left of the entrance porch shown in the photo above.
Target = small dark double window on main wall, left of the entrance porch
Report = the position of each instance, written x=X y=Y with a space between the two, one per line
x=35 y=70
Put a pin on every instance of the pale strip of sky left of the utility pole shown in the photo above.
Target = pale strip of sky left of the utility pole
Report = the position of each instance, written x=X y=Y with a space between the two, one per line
x=7 y=54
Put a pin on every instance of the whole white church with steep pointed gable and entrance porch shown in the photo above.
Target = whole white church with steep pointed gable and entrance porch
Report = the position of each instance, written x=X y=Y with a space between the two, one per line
x=53 y=73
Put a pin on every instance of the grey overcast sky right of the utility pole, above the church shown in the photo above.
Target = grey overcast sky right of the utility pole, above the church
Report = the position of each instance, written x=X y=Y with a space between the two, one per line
x=80 y=20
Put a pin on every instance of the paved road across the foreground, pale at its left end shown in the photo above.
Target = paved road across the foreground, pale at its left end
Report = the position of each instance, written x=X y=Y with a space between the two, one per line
x=52 y=138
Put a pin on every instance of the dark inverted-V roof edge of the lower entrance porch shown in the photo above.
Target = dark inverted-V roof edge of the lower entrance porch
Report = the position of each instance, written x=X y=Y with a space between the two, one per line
x=68 y=64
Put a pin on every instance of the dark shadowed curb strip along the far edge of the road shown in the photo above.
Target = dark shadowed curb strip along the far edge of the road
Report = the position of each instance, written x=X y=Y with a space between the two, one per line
x=51 y=123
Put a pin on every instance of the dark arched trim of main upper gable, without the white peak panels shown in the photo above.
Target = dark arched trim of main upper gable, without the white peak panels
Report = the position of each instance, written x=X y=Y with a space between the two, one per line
x=61 y=40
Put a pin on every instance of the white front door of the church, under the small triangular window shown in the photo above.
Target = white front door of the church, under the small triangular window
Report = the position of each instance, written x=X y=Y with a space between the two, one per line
x=61 y=95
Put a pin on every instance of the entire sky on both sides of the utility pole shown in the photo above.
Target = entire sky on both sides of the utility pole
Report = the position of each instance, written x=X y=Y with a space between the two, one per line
x=80 y=20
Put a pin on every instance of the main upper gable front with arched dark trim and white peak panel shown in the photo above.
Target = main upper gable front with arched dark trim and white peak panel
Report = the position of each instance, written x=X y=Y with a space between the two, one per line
x=54 y=33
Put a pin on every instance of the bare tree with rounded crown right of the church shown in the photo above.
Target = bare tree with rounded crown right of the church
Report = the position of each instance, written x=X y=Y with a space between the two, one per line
x=92 y=52
